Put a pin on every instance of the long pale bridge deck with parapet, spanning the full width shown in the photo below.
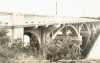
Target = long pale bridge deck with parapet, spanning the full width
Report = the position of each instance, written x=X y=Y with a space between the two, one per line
x=27 y=20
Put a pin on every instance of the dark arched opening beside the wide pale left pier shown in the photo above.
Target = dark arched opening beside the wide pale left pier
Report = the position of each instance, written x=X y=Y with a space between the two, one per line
x=31 y=40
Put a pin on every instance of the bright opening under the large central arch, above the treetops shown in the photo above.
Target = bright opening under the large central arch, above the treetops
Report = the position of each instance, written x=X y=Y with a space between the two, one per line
x=69 y=30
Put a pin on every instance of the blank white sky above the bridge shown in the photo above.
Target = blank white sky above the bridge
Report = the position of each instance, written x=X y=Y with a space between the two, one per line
x=48 y=7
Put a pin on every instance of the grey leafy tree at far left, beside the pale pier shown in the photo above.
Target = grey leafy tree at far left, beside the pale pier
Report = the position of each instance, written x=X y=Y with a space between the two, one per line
x=5 y=52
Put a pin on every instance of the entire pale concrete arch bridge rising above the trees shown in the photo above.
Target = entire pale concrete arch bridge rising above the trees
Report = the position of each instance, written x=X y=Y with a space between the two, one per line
x=45 y=29
